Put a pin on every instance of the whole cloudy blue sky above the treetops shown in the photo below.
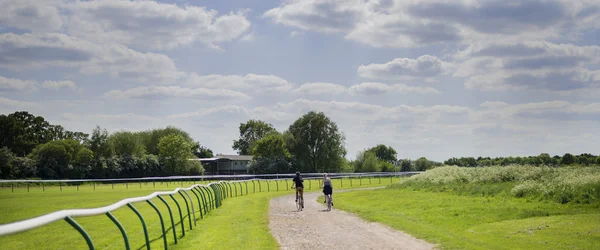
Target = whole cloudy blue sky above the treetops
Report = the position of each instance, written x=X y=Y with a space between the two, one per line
x=431 y=78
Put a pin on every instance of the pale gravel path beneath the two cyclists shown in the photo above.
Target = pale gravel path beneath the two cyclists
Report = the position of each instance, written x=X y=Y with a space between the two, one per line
x=314 y=228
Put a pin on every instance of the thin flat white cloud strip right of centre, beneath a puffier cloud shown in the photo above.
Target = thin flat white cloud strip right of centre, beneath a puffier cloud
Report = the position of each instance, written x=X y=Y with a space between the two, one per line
x=375 y=88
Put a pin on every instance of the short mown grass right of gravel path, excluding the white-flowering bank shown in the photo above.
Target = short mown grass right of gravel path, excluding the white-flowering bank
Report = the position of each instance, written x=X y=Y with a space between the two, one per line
x=479 y=216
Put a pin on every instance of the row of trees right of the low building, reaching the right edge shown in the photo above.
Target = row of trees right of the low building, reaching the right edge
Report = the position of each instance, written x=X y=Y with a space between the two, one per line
x=313 y=143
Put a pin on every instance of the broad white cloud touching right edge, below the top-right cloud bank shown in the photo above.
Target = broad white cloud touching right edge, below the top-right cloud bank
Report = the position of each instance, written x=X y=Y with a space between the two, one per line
x=560 y=68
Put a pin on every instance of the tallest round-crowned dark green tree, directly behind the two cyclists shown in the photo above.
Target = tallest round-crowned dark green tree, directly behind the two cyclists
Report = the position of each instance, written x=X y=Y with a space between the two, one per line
x=316 y=143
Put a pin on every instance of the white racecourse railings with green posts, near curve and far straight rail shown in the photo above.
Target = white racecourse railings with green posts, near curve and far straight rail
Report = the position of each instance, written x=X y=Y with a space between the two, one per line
x=208 y=197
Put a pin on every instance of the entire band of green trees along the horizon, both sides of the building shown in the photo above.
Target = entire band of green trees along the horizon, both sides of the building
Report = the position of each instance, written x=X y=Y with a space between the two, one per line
x=31 y=147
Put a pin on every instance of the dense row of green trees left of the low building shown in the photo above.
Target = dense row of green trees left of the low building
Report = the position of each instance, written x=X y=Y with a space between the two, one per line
x=31 y=147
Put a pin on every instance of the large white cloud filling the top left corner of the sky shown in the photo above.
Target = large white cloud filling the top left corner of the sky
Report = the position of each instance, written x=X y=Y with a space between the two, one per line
x=141 y=24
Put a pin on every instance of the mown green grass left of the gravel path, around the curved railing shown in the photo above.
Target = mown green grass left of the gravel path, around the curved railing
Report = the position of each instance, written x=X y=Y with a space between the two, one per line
x=238 y=212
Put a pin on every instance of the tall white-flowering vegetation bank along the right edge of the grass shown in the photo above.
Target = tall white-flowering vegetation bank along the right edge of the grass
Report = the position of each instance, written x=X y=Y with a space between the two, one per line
x=567 y=184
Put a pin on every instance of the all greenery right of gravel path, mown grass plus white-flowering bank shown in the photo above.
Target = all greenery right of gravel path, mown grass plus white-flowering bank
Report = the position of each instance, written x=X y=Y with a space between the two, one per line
x=484 y=209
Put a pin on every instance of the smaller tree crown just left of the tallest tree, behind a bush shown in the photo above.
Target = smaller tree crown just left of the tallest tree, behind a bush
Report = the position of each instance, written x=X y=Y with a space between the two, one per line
x=250 y=133
